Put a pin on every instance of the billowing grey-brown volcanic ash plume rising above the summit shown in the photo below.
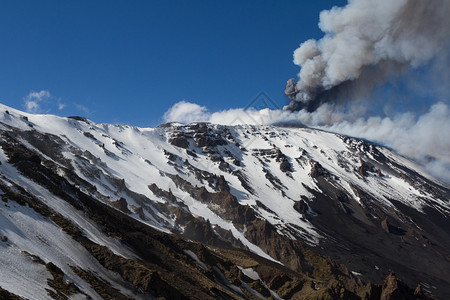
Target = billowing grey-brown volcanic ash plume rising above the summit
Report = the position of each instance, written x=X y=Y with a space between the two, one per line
x=365 y=43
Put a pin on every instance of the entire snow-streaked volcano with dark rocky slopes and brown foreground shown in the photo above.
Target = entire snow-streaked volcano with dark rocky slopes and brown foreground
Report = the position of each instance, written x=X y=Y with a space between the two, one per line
x=209 y=211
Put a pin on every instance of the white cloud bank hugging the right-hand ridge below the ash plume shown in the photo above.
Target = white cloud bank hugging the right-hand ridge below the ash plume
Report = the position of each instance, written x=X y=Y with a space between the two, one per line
x=423 y=138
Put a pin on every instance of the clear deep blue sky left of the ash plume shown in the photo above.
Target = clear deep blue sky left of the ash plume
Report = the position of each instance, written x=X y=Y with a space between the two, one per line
x=130 y=61
